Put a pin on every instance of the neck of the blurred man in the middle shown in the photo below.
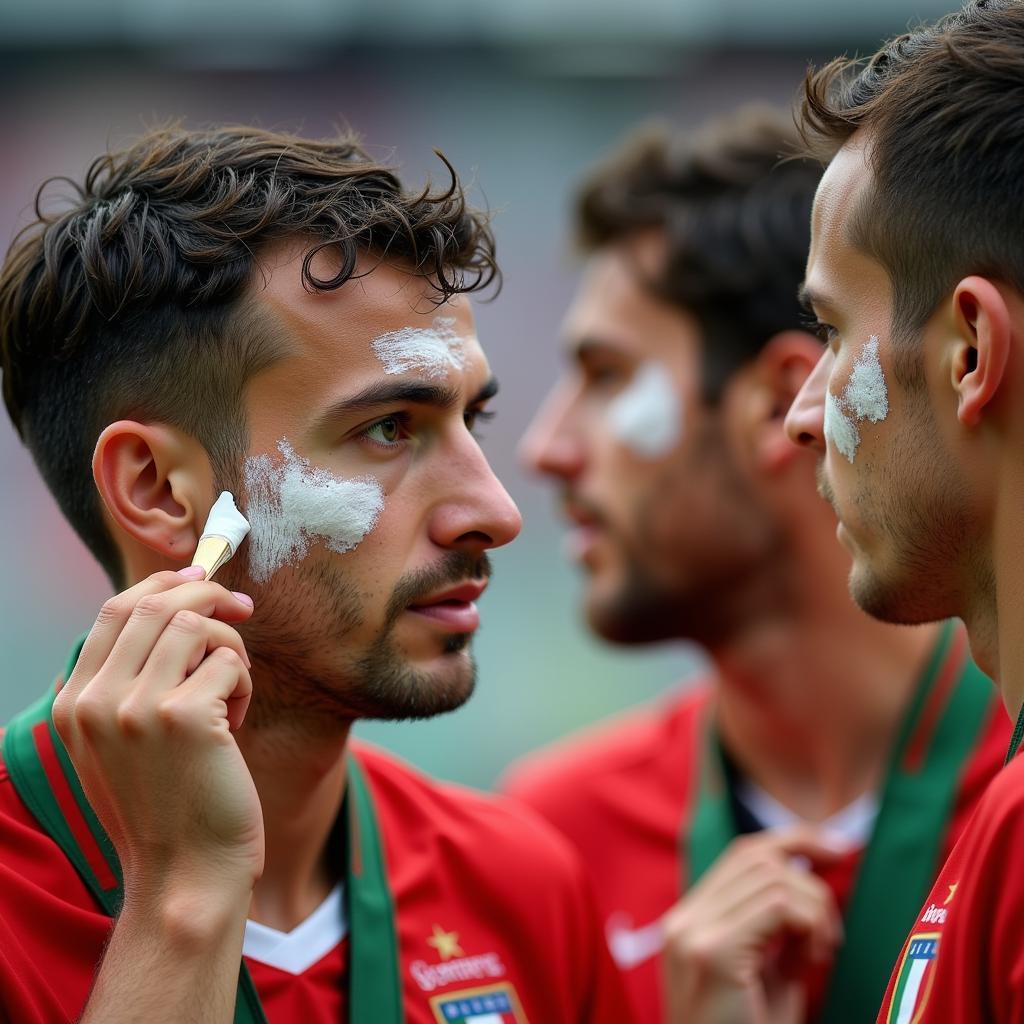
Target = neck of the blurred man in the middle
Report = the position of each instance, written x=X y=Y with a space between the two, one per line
x=809 y=706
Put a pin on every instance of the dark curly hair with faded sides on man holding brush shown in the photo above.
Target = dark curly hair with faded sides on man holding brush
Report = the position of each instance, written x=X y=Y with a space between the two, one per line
x=131 y=301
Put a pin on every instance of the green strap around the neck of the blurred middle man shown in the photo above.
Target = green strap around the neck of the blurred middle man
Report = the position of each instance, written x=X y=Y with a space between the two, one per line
x=901 y=862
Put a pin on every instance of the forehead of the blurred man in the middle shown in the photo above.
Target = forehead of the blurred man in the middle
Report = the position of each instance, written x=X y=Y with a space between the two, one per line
x=615 y=307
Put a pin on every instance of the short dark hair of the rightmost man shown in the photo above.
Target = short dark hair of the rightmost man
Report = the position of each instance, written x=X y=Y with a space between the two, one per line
x=943 y=110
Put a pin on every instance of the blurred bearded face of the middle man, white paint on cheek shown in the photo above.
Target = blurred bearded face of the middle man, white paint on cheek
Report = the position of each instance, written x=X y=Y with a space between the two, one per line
x=663 y=519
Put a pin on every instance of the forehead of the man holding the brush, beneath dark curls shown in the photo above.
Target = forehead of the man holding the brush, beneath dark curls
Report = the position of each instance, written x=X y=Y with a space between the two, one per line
x=329 y=335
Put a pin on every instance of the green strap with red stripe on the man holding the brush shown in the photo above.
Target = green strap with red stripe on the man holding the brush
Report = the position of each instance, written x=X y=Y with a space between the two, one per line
x=375 y=979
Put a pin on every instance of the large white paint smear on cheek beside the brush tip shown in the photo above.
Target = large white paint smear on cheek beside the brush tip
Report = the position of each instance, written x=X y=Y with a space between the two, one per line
x=292 y=504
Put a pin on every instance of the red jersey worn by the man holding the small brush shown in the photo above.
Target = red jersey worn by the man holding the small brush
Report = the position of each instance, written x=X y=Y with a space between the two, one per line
x=494 y=920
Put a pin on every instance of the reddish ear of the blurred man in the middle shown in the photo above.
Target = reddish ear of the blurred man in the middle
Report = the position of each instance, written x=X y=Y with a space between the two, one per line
x=779 y=373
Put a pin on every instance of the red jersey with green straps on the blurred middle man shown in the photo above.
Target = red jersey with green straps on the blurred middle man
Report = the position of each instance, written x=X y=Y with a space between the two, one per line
x=651 y=800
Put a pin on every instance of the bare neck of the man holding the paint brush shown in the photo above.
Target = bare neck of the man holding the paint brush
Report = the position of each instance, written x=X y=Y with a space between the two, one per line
x=300 y=774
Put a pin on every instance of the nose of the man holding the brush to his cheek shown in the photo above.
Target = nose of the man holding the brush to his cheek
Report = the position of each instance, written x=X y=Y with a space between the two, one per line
x=476 y=514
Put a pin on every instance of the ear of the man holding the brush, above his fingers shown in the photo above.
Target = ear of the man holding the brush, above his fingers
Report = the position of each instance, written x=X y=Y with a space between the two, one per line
x=157 y=485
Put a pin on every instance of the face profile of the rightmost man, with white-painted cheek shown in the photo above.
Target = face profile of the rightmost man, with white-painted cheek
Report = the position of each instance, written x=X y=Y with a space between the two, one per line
x=879 y=410
